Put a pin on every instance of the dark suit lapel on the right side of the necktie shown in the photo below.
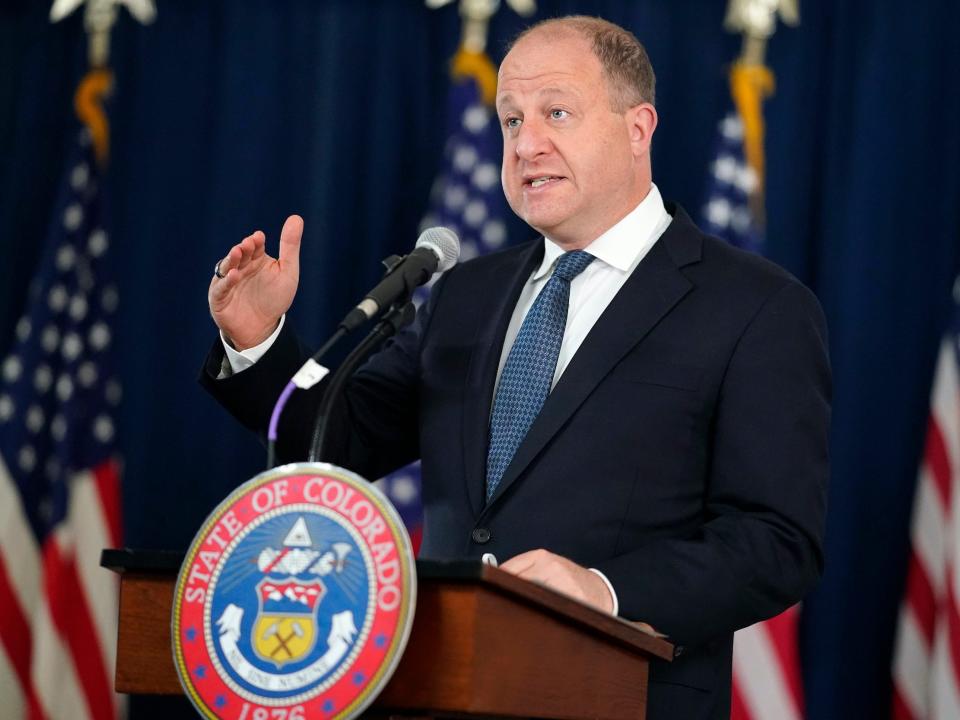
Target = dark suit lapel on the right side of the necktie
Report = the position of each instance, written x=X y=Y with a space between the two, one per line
x=653 y=289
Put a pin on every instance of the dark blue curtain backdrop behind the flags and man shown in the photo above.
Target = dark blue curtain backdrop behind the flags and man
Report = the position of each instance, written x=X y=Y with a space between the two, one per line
x=227 y=116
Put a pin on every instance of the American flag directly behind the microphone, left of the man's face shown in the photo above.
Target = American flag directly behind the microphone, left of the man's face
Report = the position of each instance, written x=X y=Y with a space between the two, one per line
x=466 y=198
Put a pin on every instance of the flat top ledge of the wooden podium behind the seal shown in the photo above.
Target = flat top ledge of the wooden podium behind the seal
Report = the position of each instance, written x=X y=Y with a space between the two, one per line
x=167 y=563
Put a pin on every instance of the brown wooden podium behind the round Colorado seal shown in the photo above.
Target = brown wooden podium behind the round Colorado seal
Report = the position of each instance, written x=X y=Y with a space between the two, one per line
x=484 y=643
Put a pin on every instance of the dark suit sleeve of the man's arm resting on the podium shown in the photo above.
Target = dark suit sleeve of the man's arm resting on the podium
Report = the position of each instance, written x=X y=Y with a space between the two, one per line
x=760 y=548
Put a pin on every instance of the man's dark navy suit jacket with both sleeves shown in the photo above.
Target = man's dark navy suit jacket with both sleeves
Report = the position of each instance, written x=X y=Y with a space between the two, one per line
x=683 y=452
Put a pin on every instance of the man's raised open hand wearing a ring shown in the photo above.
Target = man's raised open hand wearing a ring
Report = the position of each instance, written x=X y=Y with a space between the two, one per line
x=256 y=289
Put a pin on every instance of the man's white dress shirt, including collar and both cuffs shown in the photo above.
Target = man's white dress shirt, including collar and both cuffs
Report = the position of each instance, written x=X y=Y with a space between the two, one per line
x=618 y=251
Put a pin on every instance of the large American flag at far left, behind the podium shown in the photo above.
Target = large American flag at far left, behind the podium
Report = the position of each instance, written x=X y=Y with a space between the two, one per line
x=59 y=479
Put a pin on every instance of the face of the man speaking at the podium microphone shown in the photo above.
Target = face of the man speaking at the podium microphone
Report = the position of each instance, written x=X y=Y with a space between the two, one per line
x=568 y=162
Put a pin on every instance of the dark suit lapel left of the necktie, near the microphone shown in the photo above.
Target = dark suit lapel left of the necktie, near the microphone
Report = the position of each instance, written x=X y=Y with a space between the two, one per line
x=484 y=360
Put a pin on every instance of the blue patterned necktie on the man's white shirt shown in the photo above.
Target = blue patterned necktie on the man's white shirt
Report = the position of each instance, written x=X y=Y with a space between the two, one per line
x=528 y=373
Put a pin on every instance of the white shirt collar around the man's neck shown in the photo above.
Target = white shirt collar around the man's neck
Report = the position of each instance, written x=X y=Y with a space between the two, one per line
x=620 y=245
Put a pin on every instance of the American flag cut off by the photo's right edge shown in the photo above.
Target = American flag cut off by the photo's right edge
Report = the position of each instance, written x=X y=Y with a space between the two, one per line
x=926 y=660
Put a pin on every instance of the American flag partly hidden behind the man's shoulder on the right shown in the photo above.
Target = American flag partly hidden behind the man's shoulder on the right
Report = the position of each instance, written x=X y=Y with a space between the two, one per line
x=766 y=664
